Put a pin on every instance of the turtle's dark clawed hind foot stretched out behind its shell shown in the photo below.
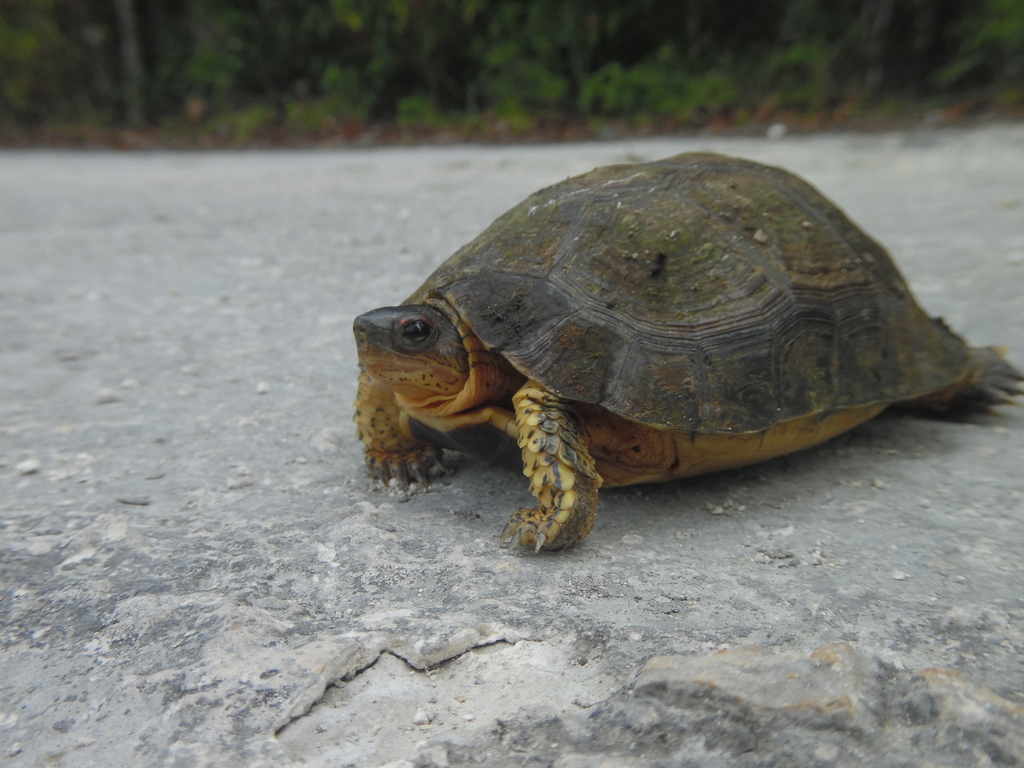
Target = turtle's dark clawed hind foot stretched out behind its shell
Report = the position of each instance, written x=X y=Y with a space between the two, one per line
x=990 y=380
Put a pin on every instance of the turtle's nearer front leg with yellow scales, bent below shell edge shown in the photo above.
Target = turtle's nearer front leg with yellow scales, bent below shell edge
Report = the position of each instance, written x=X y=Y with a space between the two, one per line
x=561 y=470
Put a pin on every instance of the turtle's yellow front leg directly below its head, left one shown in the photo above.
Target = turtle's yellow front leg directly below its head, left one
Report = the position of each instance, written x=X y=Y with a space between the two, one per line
x=392 y=452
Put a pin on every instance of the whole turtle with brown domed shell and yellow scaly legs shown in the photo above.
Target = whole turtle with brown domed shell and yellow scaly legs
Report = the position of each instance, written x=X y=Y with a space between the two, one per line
x=649 y=322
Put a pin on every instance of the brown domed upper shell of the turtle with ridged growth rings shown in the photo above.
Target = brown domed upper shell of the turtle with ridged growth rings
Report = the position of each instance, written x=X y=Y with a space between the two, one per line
x=700 y=293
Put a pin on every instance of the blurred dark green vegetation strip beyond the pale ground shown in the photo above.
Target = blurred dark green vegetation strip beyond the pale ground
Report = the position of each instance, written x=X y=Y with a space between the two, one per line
x=245 y=67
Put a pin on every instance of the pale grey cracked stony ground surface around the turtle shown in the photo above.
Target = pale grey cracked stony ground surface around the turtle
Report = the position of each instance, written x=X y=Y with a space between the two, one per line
x=196 y=572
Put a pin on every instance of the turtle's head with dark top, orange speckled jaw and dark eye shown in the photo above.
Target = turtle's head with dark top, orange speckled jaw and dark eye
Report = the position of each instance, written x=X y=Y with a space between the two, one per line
x=416 y=351
